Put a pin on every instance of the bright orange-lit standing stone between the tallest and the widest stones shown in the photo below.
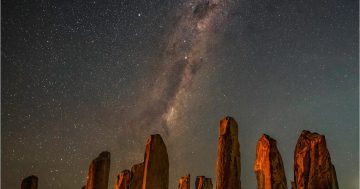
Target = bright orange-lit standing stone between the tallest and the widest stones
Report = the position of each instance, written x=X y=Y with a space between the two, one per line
x=268 y=167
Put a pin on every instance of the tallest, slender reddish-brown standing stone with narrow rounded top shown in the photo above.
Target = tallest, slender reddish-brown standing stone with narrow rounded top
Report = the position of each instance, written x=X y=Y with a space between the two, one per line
x=228 y=160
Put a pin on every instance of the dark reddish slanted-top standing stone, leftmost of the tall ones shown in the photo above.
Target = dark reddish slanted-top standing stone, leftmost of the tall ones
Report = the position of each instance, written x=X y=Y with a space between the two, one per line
x=98 y=176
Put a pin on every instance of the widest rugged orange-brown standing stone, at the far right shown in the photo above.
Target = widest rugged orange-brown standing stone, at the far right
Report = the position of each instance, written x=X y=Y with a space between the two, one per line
x=312 y=163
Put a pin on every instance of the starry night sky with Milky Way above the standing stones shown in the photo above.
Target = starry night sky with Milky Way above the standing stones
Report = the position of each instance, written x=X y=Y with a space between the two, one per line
x=80 y=77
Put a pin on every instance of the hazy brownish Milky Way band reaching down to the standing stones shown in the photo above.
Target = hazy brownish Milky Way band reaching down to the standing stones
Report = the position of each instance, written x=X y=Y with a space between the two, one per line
x=185 y=53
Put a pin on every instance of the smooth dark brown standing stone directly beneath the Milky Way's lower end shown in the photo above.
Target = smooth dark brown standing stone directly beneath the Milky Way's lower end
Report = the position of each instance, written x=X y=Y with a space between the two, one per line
x=156 y=169
